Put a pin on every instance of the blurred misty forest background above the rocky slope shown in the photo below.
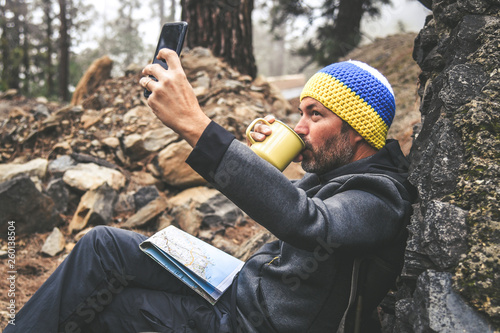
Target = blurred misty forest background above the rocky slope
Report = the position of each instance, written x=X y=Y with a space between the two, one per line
x=46 y=45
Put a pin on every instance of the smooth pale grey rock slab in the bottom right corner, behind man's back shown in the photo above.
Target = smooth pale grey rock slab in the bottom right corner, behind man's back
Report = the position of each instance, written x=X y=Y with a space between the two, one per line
x=438 y=308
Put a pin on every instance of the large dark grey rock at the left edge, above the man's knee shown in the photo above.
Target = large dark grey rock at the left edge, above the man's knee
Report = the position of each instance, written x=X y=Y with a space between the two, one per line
x=30 y=210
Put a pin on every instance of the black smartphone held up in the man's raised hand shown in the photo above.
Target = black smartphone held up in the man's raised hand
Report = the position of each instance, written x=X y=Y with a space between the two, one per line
x=172 y=37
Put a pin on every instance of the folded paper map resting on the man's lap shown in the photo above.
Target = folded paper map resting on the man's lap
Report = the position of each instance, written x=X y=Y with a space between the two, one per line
x=206 y=269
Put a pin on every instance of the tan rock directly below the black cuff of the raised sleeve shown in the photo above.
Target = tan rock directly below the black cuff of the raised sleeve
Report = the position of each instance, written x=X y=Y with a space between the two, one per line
x=174 y=170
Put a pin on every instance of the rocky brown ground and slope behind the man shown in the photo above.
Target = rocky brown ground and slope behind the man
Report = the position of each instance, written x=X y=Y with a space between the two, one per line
x=109 y=161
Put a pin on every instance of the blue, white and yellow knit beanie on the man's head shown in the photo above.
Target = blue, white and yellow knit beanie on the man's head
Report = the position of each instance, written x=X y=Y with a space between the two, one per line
x=357 y=93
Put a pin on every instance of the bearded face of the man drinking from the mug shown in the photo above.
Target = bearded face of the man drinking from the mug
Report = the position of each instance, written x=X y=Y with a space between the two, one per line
x=329 y=144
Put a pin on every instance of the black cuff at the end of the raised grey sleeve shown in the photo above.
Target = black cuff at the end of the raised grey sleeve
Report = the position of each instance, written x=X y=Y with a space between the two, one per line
x=209 y=150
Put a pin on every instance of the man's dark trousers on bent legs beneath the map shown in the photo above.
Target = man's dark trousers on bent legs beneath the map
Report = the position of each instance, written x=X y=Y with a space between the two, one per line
x=107 y=284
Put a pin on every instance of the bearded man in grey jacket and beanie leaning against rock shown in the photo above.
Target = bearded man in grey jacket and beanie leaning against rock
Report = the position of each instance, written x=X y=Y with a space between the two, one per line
x=353 y=203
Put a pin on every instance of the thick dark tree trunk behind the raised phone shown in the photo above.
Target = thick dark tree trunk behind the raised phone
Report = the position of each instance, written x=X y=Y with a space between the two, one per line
x=224 y=27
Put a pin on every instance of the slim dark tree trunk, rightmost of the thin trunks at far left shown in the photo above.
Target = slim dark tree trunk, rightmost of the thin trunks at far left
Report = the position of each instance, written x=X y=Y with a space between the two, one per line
x=64 y=44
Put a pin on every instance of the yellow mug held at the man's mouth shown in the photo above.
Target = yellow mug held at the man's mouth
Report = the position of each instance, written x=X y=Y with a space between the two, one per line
x=279 y=148
